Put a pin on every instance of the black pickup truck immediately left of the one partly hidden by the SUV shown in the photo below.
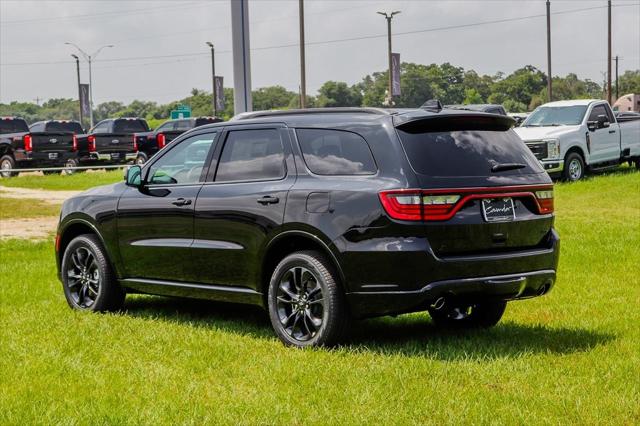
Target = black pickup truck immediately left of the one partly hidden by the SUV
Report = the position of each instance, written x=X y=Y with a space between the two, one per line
x=112 y=141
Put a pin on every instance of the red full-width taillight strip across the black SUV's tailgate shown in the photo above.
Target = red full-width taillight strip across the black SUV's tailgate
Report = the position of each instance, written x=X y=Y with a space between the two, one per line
x=443 y=204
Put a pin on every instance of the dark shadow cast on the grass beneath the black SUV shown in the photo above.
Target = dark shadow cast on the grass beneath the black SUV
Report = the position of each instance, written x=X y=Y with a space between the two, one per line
x=408 y=335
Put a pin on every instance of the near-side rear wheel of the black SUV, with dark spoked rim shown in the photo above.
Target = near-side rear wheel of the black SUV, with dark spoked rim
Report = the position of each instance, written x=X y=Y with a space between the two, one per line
x=306 y=305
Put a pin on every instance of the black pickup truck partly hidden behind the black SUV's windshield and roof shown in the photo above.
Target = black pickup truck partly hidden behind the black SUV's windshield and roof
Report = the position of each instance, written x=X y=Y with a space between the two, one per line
x=151 y=142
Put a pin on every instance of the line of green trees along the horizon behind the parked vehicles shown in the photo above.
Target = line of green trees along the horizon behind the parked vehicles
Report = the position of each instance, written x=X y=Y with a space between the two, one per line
x=522 y=90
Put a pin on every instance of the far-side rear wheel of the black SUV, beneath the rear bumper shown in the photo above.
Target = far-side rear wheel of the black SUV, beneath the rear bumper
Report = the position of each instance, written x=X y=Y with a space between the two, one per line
x=479 y=315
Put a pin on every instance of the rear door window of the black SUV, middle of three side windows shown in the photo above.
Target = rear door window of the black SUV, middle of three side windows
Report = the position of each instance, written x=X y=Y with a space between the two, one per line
x=251 y=155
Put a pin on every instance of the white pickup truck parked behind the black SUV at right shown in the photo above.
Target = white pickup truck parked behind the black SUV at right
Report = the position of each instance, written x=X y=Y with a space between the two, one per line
x=571 y=137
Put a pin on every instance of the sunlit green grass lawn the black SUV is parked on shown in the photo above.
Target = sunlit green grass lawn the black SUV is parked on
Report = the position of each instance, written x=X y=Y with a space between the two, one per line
x=570 y=357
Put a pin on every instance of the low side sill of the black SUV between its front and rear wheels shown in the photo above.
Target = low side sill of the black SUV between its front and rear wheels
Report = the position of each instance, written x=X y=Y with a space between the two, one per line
x=193 y=290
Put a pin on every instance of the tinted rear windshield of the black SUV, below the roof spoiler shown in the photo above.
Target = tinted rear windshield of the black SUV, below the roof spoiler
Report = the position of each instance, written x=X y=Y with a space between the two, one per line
x=467 y=153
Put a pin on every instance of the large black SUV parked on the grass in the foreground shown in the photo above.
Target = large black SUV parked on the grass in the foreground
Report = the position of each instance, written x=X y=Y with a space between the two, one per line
x=321 y=216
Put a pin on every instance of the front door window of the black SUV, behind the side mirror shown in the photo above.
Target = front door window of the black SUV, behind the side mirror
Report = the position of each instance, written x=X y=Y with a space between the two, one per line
x=184 y=163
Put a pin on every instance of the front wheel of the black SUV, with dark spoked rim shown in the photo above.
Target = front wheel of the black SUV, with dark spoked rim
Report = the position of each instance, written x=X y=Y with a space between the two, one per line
x=87 y=278
